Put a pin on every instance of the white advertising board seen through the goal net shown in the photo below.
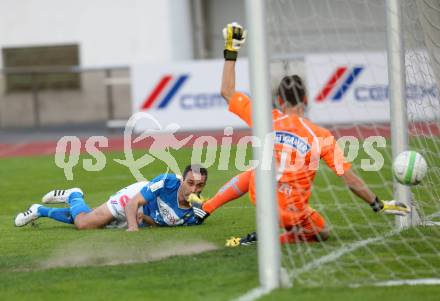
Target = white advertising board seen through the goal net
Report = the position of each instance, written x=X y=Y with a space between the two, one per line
x=353 y=88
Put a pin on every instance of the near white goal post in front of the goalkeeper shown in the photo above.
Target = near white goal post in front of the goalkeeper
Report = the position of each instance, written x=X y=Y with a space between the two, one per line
x=267 y=213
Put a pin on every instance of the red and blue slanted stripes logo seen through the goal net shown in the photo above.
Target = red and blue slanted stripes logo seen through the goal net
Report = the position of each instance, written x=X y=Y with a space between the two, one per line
x=339 y=83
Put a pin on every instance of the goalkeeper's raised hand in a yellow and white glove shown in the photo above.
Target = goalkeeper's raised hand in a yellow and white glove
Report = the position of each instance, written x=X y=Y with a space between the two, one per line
x=234 y=36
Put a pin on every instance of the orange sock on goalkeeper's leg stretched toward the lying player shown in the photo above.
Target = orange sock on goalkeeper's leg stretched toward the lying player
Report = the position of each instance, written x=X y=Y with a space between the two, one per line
x=232 y=190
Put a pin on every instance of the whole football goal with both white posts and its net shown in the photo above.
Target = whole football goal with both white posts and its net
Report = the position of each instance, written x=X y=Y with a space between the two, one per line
x=377 y=64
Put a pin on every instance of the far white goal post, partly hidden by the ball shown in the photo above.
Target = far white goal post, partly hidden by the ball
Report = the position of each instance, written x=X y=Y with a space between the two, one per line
x=397 y=92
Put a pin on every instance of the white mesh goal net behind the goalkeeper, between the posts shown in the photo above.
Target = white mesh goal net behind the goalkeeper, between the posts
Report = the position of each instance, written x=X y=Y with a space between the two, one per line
x=340 y=48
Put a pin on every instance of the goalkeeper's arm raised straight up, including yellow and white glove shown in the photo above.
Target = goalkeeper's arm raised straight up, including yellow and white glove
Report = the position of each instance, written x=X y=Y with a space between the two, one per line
x=234 y=36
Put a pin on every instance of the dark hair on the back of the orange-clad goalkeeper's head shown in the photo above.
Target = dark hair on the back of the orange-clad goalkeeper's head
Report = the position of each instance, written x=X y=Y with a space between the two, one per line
x=292 y=89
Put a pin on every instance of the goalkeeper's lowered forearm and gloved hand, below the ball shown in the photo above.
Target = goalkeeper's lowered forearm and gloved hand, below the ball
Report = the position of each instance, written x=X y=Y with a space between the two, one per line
x=358 y=187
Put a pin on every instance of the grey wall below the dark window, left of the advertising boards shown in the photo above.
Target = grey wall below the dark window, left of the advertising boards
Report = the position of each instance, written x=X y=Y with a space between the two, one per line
x=89 y=104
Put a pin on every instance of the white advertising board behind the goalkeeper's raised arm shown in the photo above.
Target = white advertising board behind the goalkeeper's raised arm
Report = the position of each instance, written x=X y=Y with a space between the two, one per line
x=187 y=94
